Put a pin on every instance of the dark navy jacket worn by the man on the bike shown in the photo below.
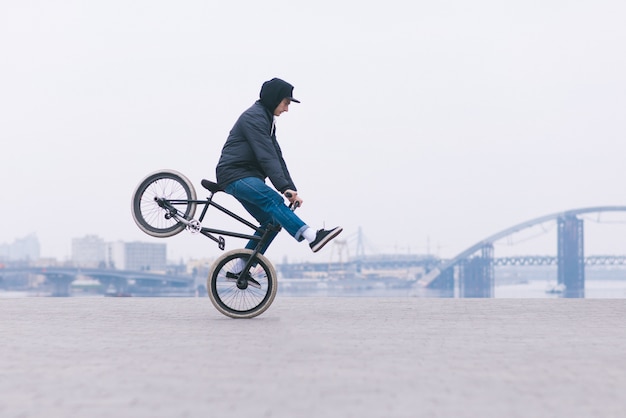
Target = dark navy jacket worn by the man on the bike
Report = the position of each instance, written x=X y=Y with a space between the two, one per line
x=251 y=149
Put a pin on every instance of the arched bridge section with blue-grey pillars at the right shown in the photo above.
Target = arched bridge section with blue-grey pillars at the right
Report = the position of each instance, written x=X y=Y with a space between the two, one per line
x=474 y=266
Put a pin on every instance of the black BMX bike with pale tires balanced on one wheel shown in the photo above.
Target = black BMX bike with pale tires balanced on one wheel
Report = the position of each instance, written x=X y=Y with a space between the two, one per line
x=164 y=204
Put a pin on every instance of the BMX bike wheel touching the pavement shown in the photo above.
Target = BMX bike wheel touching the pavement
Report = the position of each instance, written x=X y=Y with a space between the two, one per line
x=241 y=303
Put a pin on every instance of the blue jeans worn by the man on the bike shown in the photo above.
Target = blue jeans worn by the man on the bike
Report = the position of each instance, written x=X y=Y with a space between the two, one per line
x=266 y=206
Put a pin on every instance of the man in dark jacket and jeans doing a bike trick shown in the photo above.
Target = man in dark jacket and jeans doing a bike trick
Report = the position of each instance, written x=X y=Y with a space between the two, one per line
x=251 y=154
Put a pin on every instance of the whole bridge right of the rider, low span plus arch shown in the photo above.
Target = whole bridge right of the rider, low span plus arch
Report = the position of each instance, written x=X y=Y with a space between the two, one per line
x=471 y=272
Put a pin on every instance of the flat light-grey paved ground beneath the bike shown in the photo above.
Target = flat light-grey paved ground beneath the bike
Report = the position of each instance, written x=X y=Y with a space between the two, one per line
x=313 y=357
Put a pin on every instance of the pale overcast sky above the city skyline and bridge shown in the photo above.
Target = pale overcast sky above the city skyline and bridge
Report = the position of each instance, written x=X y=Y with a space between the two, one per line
x=428 y=125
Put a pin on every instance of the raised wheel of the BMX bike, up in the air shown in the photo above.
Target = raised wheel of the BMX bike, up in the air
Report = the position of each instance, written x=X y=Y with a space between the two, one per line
x=148 y=216
